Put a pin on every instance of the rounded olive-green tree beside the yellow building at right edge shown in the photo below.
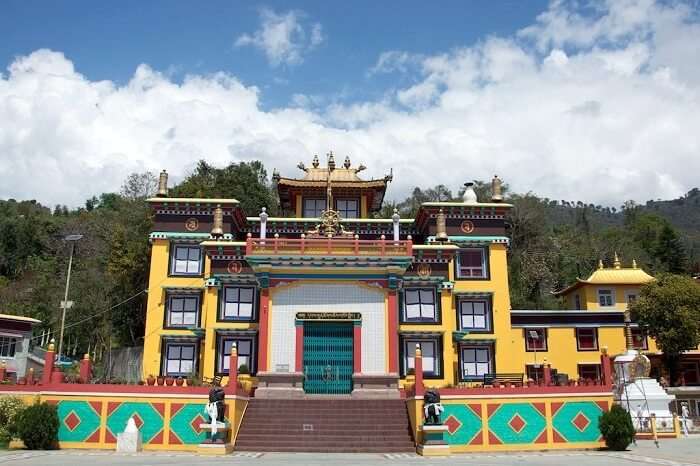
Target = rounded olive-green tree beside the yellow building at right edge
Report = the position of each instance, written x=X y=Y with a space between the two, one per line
x=668 y=310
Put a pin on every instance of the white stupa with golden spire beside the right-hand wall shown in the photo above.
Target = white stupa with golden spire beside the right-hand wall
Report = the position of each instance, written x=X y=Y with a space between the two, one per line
x=635 y=391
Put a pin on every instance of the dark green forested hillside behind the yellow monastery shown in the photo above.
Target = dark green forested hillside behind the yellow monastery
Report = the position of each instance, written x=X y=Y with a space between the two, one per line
x=553 y=242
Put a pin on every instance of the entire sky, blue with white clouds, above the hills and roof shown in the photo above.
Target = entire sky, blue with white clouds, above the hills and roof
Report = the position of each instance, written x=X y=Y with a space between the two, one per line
x=592 y=100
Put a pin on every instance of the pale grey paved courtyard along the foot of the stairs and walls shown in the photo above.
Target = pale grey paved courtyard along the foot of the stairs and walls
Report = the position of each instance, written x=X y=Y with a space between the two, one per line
x=670 y=453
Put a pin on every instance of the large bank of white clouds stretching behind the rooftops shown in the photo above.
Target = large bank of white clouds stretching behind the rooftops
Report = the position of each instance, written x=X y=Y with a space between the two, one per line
x=611 y=119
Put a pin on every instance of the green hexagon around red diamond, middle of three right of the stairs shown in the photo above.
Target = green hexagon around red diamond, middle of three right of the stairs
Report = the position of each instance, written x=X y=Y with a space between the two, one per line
x=500 y=423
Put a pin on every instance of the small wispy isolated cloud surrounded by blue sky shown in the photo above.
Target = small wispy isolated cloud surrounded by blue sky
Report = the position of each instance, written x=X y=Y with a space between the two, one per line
x=283 y=37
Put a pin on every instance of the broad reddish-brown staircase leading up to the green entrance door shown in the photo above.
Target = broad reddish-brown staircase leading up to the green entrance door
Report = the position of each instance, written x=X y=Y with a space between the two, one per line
x=325 y=425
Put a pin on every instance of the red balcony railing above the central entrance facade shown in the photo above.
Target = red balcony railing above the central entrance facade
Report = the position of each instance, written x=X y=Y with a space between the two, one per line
x=328 y=246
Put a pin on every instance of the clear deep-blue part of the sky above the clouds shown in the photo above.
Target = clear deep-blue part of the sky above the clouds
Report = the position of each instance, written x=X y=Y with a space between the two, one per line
x=108 y=40
